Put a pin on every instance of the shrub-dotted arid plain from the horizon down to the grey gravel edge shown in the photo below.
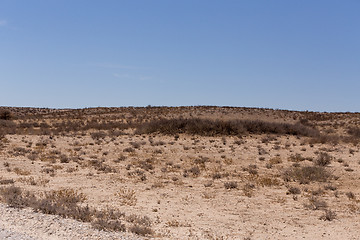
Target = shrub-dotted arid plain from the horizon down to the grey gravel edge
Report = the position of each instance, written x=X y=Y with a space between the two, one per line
x=186 y=172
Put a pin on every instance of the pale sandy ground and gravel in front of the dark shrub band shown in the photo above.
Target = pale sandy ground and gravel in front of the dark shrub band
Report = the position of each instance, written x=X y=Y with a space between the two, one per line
x=180 y=185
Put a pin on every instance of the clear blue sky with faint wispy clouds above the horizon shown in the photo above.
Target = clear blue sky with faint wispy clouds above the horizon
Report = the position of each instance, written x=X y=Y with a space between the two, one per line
x=289 y=54
